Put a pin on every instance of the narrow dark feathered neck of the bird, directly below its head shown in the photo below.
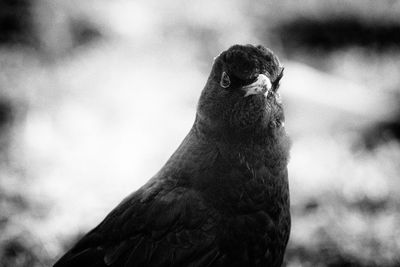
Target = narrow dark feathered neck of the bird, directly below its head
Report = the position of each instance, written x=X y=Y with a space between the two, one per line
x=203 y=146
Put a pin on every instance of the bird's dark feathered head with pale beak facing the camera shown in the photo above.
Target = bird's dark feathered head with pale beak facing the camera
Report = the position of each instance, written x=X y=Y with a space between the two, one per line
x=241 y=91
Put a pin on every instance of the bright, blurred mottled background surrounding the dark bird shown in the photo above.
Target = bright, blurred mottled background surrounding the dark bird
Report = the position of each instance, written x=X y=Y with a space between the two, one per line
x=95 y=95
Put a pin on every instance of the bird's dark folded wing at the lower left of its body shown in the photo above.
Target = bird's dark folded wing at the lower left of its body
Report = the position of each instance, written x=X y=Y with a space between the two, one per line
x=156 y=226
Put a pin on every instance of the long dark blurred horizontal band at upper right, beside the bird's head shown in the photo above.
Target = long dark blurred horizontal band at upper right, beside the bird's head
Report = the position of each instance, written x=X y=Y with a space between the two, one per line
x=336 y=33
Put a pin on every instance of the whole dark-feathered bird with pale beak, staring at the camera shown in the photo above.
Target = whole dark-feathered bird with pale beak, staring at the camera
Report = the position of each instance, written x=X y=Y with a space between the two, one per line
x=222 y=198
